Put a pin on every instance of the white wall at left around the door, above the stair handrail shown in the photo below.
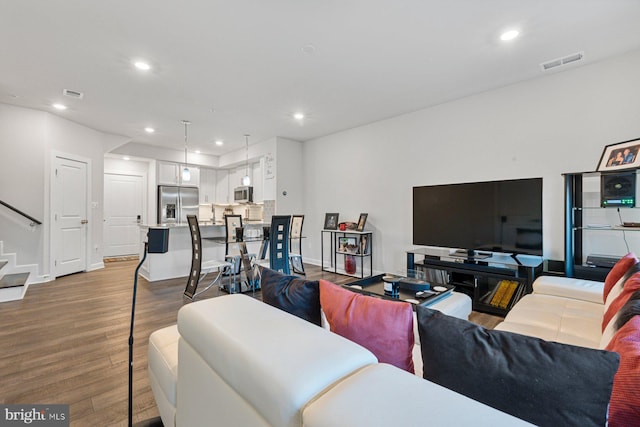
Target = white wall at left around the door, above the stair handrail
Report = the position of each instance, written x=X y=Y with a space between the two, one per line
x=28 y=139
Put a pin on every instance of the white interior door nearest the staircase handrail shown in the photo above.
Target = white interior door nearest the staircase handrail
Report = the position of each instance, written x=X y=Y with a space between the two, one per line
x=69 y=202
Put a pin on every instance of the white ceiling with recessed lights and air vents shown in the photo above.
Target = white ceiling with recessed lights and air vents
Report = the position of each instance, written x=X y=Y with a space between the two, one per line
x=249 y=61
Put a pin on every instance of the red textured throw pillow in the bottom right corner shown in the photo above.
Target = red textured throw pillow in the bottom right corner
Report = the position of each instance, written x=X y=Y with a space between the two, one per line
x=624 y=407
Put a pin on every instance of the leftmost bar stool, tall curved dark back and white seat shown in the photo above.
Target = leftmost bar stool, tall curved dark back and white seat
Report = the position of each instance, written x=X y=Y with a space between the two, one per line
x=199 y=269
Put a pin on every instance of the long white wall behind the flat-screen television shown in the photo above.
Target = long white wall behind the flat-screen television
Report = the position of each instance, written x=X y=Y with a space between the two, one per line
x=540 y=128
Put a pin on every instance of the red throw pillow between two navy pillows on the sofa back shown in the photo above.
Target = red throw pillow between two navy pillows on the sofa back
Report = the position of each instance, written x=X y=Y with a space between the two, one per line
x=383 y=327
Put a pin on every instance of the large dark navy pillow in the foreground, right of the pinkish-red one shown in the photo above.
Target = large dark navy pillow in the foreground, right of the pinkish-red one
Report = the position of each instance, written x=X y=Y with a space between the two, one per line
x=545 y=383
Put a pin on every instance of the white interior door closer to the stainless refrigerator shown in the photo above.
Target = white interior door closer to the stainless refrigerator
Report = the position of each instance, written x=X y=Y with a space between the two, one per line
x=123 y=204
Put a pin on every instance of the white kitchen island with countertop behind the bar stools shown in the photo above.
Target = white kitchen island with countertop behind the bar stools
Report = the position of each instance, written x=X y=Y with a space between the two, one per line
x=177 y=261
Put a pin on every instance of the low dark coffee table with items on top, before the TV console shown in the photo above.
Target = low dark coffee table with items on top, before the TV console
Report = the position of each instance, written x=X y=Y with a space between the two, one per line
x=407 y=288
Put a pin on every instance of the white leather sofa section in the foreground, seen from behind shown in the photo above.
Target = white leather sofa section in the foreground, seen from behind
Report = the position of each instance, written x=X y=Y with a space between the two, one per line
x=243 y=362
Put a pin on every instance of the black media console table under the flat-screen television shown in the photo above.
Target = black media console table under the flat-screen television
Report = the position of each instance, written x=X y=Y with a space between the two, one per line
x=495 y=282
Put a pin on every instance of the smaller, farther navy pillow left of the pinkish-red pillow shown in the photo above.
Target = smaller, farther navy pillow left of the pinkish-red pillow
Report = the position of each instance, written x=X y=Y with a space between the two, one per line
x=292 y=294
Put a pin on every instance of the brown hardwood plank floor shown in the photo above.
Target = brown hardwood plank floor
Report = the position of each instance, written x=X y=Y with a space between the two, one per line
x=67 y=341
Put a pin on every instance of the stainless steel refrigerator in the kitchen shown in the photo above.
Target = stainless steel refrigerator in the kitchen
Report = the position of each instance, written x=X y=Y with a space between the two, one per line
x=175 y=203
